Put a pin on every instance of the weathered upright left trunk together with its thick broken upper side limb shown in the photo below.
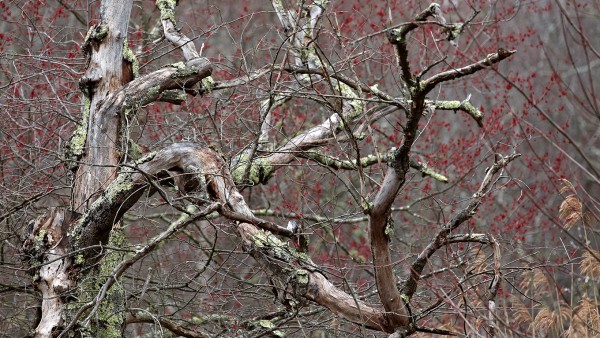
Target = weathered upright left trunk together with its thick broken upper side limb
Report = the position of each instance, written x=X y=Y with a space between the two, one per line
x=65 y=244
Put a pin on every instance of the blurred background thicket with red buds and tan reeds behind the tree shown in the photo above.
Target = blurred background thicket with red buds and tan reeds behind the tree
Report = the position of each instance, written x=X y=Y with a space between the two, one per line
x=542 y=103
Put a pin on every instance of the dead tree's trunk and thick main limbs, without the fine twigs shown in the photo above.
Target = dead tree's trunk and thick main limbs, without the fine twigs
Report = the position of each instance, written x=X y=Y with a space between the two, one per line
x=66 y=244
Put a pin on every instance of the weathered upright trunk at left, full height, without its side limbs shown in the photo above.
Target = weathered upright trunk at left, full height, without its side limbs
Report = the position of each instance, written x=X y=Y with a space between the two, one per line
x=95 y=153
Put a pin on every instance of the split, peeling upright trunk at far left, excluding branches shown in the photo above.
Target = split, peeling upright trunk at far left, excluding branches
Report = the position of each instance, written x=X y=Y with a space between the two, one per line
x=96 y=147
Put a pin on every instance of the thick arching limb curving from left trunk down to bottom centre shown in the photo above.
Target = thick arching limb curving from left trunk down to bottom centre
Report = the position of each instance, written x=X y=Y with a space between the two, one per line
x=201 y=171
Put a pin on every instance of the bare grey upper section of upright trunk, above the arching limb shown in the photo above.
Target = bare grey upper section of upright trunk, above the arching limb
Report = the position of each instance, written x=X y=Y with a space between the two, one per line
x=104 y=75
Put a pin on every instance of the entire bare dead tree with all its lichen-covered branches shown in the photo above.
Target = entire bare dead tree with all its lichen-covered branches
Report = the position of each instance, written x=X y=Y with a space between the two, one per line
x=79 y=254
